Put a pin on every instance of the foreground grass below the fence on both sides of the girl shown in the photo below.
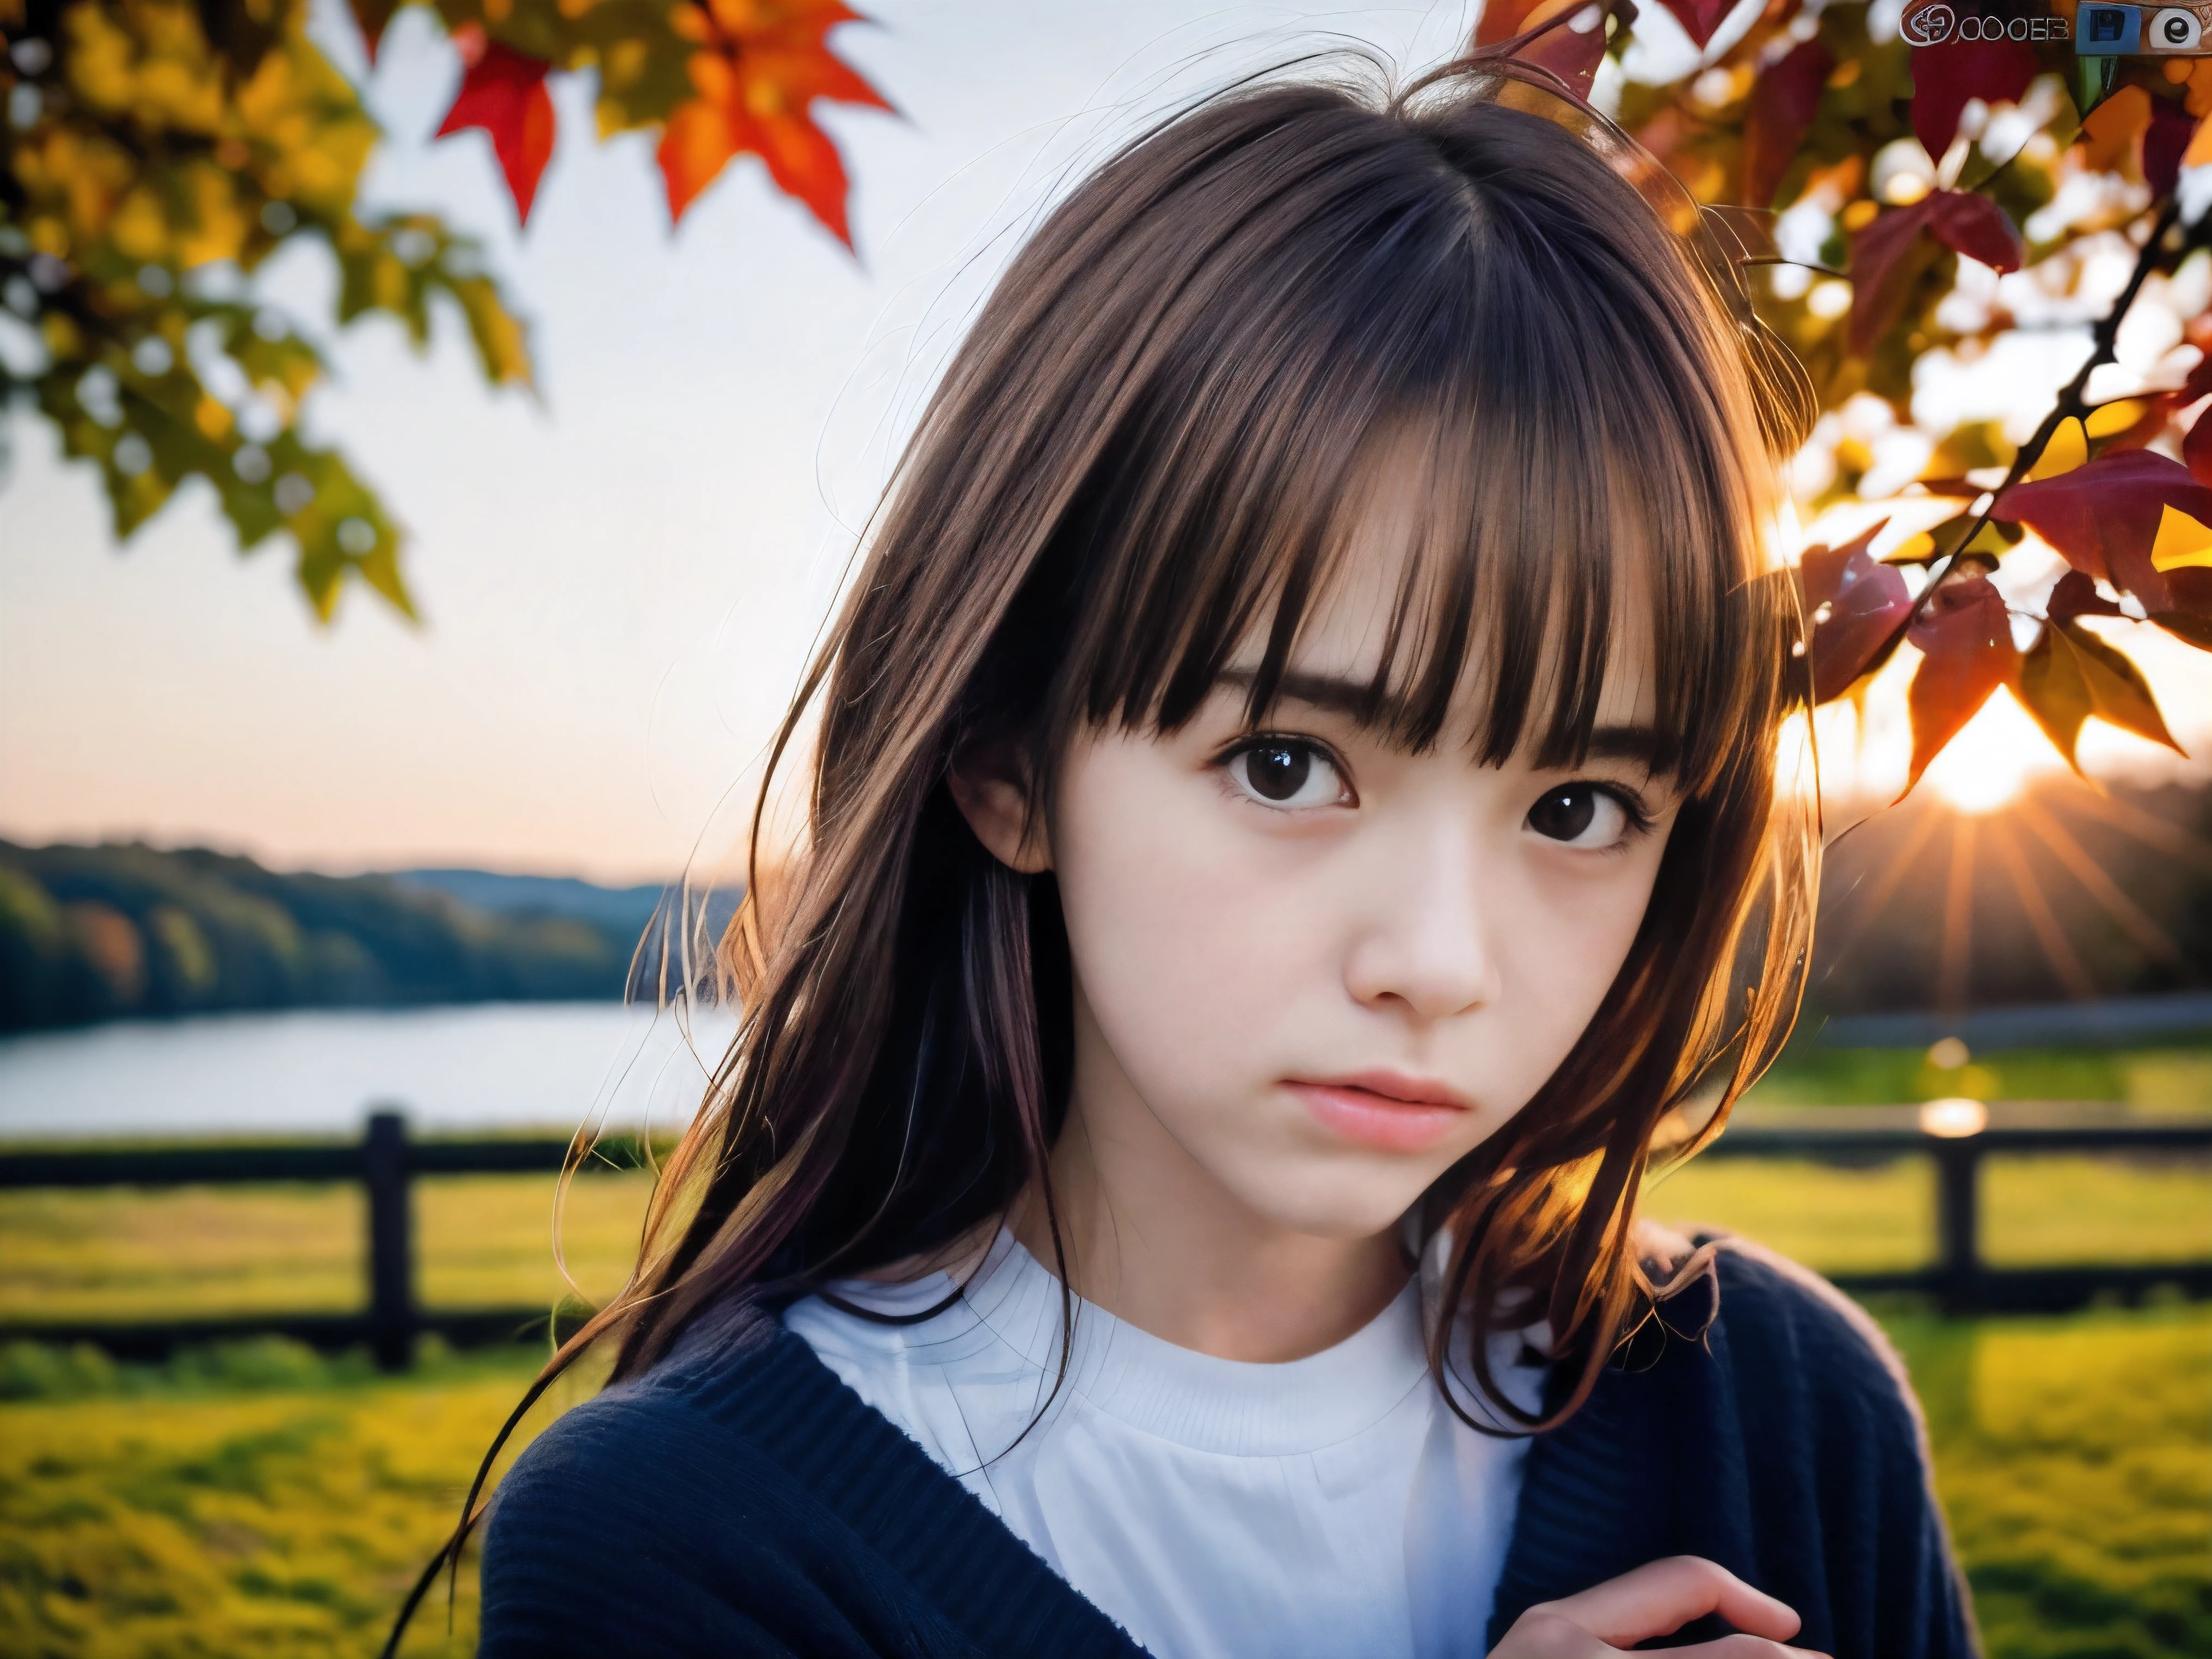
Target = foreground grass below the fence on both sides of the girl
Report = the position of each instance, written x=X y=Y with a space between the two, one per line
x=267 y=1503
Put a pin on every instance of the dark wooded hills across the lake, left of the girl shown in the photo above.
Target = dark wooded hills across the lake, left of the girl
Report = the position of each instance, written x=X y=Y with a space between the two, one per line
x=127 y=930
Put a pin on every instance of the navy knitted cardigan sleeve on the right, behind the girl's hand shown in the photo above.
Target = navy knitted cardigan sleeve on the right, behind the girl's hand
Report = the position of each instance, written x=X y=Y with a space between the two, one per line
x=1771 y=1432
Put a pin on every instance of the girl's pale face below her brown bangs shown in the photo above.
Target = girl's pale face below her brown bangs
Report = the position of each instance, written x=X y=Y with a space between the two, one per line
x=1324 y=970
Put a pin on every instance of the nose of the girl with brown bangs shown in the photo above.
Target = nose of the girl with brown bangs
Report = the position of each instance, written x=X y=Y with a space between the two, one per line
x=1426 y=941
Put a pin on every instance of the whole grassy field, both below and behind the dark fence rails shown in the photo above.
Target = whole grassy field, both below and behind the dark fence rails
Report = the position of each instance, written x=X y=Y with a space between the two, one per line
x=260 y=1501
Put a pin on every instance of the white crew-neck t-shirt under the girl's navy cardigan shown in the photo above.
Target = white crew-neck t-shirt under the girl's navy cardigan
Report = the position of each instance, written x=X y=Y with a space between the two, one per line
x=1218 y=1510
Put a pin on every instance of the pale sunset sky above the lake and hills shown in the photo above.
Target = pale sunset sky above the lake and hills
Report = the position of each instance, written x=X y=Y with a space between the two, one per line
x=620 y=578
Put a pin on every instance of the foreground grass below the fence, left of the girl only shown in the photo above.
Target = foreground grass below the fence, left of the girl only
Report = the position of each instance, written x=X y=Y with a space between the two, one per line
x=200 y=1516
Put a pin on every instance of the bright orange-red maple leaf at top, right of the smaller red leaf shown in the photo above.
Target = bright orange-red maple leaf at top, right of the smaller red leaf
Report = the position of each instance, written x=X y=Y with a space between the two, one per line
x=758 y=70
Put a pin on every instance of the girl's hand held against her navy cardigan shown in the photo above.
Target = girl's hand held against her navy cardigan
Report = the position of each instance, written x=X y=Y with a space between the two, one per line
x=1651 y=1603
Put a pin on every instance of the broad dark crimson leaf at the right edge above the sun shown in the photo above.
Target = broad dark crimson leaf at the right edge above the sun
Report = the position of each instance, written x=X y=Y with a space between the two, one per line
x=2105 y=517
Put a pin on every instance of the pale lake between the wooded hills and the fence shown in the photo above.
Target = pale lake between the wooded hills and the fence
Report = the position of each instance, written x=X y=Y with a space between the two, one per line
x=317 y=1072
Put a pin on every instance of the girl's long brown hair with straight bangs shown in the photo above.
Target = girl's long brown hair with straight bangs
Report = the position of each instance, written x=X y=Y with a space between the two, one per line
x=1138 y=463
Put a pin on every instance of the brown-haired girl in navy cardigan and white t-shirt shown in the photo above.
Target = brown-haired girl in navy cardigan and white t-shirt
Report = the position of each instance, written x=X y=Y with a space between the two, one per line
x=1293 y=815
